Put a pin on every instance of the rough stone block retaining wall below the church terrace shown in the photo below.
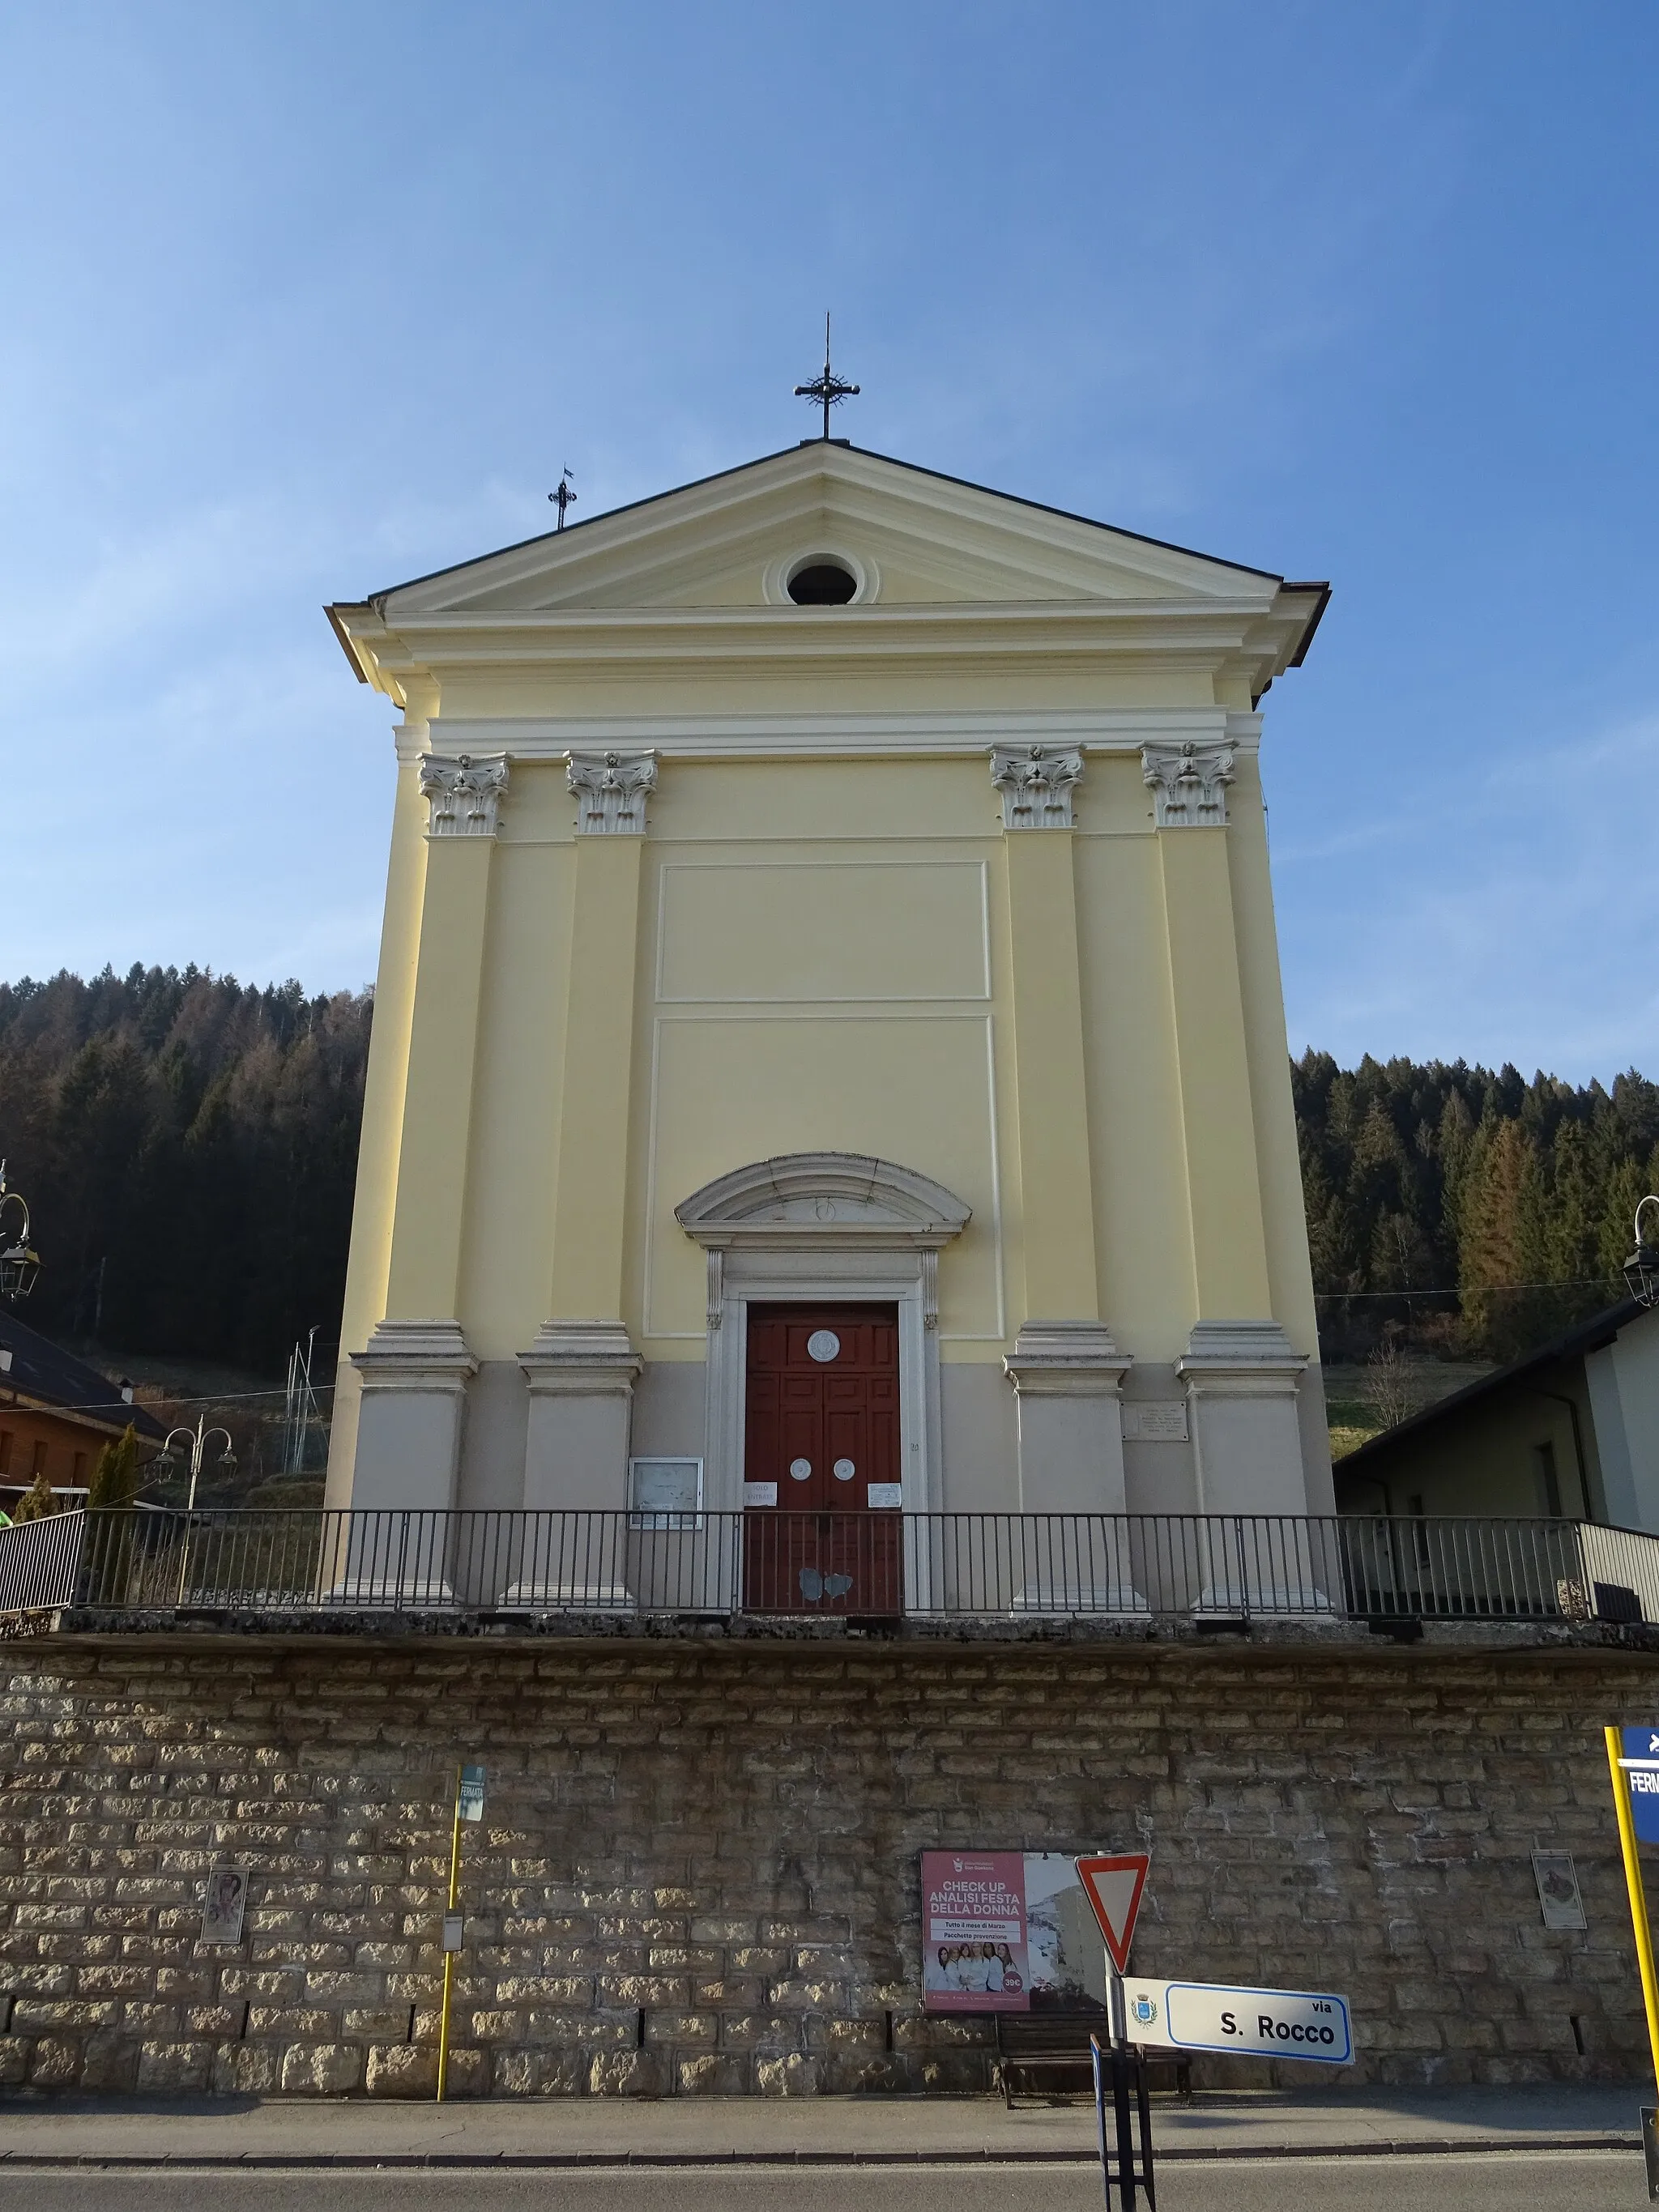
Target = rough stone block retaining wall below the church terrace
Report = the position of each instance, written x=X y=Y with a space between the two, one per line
x=700 y=1864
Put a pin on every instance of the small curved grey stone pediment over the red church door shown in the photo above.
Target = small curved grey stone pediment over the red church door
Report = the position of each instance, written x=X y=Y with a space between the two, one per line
x=824 y=1200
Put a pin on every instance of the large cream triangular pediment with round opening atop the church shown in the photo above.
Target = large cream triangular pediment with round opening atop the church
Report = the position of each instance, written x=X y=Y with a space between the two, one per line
x=912 y=539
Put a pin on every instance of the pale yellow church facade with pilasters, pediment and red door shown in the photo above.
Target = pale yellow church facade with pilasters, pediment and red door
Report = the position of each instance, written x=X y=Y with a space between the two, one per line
x=828 y=908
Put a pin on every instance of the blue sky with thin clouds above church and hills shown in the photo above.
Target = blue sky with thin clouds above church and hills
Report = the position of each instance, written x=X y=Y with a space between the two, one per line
x=306 y=300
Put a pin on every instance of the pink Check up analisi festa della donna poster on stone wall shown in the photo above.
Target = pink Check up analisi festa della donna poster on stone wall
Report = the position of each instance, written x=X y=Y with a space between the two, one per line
x=1008 y=1932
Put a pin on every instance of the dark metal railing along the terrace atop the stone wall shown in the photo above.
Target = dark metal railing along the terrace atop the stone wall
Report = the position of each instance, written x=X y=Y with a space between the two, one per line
x=811 y=1565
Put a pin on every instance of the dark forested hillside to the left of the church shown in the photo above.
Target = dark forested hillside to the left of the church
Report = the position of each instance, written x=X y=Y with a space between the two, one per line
x=189 y=1151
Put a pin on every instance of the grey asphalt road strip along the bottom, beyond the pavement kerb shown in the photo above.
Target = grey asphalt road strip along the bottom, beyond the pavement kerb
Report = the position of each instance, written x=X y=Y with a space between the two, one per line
x=1552 y=2182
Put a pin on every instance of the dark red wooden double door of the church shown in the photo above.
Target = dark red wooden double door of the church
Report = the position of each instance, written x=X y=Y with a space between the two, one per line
x=822 y=1474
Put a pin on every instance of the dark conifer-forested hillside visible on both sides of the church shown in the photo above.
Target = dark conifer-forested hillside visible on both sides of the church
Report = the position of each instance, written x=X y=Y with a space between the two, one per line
x=189 y=1151
